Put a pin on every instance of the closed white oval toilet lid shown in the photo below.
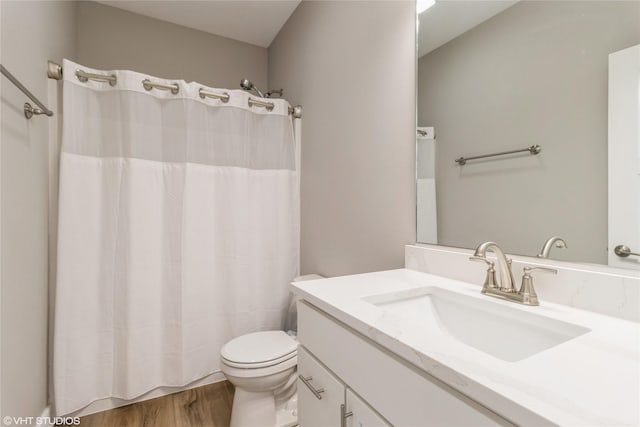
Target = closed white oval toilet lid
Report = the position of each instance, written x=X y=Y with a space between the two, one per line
x=259 y=347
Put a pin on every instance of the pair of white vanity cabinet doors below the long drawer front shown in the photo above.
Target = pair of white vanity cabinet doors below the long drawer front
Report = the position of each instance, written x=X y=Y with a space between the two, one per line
x=324 y=401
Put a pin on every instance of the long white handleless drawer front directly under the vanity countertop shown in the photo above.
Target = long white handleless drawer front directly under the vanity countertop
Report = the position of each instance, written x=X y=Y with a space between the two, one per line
x=401 y=393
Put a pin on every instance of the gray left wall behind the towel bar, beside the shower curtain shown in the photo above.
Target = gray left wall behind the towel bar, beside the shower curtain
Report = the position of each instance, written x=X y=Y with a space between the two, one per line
x=32 y=32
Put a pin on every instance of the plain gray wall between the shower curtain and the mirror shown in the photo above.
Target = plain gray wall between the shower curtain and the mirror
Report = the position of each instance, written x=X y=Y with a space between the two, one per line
x=352 y=66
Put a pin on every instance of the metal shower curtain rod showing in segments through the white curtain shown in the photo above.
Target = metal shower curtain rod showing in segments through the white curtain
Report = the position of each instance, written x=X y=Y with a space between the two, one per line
x=54 y=71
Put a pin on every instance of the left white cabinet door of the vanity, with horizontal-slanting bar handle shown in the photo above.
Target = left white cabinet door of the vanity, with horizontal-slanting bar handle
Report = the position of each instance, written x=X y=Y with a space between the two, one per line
x=320 y=394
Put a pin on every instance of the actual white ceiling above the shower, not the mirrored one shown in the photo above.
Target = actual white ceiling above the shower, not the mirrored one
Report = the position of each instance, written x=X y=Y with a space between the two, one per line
x=255 y=22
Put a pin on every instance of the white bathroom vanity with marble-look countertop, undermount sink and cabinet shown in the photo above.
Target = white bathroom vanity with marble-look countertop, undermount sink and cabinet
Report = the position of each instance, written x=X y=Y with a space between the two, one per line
x=407 y=348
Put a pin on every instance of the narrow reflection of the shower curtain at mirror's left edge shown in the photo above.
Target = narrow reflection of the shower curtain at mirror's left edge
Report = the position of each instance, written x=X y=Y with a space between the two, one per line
x=427 y=225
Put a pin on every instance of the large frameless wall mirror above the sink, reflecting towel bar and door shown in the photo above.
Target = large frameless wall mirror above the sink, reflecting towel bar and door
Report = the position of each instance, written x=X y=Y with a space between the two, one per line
x=499 y=76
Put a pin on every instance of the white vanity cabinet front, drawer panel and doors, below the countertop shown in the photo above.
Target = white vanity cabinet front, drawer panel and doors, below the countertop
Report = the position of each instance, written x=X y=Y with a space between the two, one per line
x=377 y=387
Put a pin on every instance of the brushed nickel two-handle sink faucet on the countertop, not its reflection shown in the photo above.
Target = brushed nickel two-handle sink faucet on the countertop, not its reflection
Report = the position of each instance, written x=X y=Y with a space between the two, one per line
x=504 y=288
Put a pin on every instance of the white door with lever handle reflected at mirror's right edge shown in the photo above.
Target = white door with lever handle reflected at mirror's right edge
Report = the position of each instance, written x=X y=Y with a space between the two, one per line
x=624 y=157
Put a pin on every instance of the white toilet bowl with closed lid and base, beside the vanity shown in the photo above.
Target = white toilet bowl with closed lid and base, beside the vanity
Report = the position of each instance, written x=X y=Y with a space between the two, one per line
x=262 y=367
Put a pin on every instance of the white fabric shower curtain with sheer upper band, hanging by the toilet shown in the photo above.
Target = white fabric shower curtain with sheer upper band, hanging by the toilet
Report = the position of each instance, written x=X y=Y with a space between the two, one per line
x=178 y=230
